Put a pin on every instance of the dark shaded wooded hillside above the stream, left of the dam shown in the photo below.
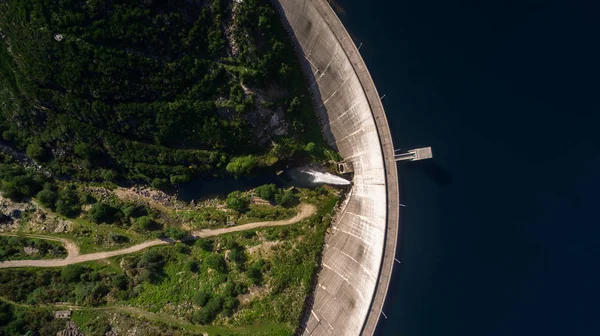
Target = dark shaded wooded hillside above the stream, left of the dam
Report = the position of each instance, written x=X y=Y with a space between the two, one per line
x=152 y=90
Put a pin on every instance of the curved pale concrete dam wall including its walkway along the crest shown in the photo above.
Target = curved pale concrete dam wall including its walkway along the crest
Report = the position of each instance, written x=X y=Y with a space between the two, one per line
x=359 y=252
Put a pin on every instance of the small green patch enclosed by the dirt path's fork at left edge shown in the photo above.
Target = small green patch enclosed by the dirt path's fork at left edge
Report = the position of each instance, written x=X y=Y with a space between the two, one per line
x=13 y=248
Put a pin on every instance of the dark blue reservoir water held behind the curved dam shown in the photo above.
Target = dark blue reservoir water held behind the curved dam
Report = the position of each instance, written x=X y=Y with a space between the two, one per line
x=507 y=242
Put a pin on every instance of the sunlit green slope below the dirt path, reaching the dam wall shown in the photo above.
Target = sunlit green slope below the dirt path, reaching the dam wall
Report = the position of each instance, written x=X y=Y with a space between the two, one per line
x=213 y=281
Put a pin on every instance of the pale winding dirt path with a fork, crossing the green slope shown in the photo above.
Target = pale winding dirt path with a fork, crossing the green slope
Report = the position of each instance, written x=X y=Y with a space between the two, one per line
x=305 y=210
